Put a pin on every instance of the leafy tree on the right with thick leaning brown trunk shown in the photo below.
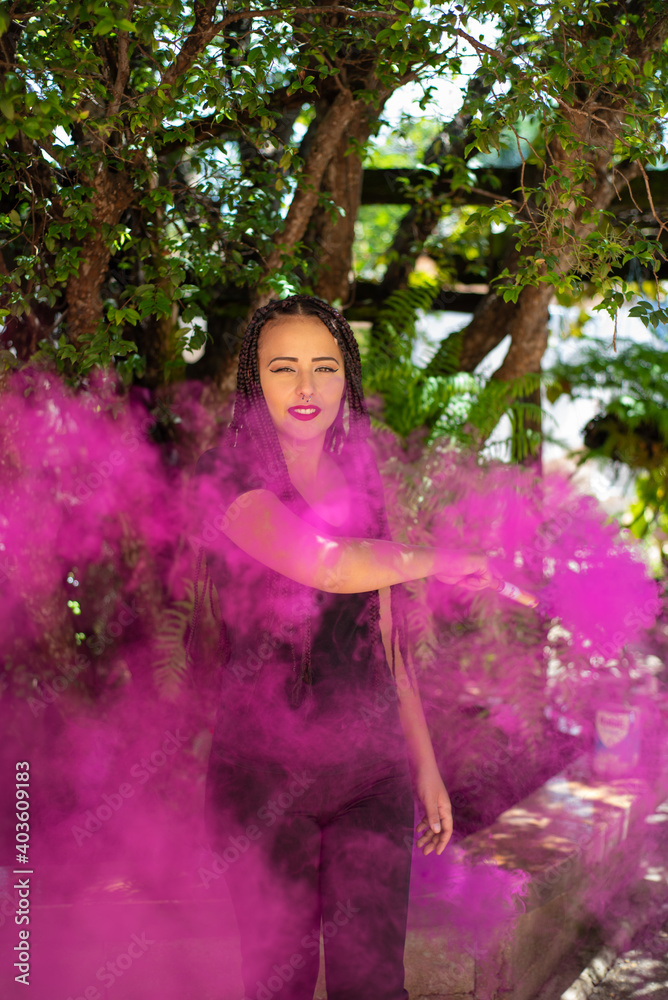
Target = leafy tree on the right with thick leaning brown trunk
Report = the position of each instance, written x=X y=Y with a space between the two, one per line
x=578 y=92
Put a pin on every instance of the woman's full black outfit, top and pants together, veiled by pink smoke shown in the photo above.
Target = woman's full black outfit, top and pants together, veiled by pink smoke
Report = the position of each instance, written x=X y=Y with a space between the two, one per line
x=310 y=809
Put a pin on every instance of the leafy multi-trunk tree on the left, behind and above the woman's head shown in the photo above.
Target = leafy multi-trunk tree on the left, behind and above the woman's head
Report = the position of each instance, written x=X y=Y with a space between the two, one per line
x=148 y=147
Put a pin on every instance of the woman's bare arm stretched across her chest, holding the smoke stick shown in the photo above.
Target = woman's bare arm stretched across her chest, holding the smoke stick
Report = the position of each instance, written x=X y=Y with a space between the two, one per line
x=268 y=531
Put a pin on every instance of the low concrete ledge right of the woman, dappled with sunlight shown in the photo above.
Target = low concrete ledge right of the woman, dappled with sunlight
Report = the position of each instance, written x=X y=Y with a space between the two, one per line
x=494 y=916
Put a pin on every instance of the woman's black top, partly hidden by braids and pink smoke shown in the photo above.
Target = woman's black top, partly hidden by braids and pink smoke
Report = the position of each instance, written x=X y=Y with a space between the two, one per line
x=346 y=719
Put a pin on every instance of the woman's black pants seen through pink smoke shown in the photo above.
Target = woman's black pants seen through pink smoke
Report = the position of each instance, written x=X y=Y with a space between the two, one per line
x=304 y=846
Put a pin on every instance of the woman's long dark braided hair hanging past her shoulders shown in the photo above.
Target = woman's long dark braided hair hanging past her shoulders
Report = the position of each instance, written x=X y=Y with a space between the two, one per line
x=252 y=430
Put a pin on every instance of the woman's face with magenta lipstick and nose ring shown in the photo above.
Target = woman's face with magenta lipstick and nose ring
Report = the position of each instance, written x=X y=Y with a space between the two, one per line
x=302 y=376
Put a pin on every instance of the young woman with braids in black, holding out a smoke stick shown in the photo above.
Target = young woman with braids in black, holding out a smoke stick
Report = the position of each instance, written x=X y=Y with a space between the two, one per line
x=319 y=744
